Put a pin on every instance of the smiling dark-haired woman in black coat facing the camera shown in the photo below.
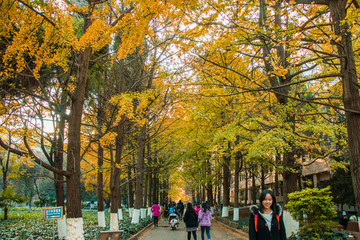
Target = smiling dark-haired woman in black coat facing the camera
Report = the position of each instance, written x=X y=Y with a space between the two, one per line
x=266 y=221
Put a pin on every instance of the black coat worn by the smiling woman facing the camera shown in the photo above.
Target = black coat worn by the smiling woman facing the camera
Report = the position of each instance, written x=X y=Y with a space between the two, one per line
x=263 y=232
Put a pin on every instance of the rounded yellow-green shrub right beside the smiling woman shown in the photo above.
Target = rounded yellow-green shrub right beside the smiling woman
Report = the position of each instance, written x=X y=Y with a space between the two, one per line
x=314 y=209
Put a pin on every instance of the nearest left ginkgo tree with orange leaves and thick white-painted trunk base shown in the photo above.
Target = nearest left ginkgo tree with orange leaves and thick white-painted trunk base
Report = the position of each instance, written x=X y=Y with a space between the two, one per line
x=61 y=41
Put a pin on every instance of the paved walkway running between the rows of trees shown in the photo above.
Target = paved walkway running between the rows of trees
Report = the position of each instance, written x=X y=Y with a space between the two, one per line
x=163 y=232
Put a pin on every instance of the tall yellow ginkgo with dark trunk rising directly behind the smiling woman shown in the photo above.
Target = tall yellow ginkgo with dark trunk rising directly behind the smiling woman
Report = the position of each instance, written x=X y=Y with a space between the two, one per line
x=272 y=53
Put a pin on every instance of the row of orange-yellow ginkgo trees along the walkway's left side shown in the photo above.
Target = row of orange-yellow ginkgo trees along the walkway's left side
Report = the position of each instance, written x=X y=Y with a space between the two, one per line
x=91 y=69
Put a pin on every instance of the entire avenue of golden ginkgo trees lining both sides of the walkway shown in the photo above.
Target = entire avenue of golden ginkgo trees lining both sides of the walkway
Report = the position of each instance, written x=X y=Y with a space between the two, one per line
x=154 y=93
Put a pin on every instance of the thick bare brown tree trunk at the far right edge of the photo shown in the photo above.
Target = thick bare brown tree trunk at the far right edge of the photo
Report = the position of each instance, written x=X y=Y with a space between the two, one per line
x=351 y=96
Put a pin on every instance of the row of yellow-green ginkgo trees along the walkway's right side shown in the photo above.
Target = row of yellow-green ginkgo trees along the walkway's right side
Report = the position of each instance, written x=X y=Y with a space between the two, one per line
x=270 y=80
